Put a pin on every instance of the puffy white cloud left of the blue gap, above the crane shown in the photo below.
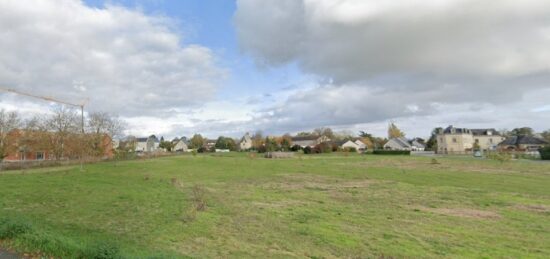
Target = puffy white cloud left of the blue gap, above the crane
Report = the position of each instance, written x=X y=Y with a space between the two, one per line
x=124 y=61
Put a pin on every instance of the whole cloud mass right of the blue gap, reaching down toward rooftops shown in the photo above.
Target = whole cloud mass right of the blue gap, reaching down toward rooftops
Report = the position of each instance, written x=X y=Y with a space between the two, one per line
x=434 y=61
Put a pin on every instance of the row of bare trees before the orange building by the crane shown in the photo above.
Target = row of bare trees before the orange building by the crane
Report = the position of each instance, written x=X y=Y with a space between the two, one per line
x=60 y=133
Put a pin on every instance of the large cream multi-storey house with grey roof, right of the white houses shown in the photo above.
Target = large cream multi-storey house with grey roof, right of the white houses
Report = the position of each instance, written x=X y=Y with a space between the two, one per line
x=453 y=140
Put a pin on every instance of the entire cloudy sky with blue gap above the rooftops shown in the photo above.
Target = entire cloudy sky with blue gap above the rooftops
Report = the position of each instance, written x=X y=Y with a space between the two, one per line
x=224 y=67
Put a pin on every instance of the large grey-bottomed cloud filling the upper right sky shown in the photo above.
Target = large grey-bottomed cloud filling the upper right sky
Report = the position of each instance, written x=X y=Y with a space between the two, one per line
x=483 y=46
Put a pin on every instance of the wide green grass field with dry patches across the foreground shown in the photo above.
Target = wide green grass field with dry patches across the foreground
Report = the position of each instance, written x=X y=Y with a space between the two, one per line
x=322 y=206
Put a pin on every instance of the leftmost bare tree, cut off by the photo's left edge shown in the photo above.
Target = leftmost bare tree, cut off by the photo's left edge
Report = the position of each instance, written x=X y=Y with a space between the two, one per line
x=9 y=121
